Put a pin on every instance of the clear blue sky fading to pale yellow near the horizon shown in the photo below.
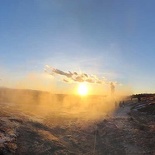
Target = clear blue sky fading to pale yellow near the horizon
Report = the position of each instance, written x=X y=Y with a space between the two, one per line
x=107 y=38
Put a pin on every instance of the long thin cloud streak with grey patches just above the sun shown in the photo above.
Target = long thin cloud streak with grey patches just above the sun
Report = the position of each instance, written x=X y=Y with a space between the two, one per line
x=74 y=76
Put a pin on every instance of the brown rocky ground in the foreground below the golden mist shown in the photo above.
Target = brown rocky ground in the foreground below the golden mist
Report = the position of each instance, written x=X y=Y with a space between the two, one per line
x=128 y=131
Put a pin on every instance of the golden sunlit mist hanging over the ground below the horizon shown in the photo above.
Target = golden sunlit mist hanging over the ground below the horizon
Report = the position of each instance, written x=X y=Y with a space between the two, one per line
x=44 y=104
